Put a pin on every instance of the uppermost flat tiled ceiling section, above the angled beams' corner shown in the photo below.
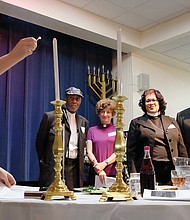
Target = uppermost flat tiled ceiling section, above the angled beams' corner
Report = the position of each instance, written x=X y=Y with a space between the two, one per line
x=137 y=14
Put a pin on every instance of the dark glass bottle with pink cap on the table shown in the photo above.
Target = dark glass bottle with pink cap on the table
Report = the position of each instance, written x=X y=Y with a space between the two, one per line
x=147 y=173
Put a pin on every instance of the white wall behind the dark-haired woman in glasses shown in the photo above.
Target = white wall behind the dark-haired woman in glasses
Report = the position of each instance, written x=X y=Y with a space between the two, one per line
x=173 y=83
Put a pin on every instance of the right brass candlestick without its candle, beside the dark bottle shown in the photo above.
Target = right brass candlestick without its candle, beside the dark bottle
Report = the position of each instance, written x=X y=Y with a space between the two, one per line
x=119 y=189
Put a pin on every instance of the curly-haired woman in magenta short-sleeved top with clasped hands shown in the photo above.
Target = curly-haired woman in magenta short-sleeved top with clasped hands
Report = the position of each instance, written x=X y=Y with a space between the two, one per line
x=100 y=142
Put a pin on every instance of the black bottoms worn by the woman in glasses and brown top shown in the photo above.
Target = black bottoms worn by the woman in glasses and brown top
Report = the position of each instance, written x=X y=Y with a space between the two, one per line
x=163 y=171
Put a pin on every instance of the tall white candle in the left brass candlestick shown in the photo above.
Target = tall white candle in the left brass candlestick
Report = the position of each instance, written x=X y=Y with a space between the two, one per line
x=56 y=69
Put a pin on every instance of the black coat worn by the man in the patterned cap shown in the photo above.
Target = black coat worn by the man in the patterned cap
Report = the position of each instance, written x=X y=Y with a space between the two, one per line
x=44 y=144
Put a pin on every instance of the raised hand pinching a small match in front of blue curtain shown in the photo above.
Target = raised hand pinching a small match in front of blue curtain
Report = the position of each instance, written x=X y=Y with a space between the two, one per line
x=24 y=48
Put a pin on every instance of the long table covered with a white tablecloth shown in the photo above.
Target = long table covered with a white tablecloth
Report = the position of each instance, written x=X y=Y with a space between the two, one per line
x=88 y=207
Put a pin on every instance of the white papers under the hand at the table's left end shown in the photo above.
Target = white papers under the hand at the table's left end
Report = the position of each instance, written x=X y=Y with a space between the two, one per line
x=14 y=191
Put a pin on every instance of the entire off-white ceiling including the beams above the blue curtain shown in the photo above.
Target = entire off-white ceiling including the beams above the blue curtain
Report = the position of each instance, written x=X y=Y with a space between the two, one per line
x=157 y=29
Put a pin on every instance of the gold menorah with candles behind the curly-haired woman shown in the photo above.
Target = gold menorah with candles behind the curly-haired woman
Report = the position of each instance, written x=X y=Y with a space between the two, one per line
x=102 y=84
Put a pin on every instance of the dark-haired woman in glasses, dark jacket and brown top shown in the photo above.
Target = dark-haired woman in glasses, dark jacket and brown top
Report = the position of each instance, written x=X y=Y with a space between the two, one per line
x=158 y=131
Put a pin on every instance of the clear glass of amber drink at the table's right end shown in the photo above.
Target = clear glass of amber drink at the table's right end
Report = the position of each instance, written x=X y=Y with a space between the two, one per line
x=178 y=178
